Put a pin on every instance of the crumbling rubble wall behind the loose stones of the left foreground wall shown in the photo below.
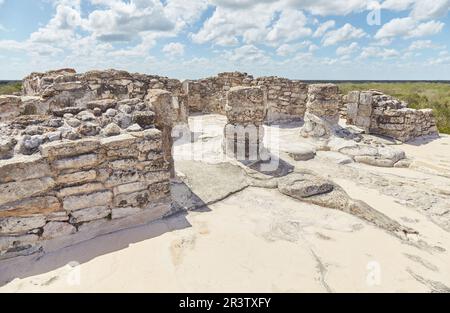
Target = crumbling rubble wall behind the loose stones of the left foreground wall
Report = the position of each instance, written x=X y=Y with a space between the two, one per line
x=67 y=90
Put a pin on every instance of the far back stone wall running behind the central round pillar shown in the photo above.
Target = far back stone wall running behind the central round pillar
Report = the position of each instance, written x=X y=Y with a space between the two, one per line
x=286 y=99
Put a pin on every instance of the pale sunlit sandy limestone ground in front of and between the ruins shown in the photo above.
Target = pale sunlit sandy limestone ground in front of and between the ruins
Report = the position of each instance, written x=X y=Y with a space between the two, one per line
x=253 y=239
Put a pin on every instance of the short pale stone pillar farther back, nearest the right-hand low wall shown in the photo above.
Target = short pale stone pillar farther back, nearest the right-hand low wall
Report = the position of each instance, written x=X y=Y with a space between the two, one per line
x=322 y=111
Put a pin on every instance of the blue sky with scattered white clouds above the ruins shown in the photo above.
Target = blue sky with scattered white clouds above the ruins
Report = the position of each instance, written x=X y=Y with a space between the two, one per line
x=301 y=39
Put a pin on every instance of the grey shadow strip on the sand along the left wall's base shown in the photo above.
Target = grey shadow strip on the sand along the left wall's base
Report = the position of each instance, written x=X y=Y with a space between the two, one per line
x=88 y=250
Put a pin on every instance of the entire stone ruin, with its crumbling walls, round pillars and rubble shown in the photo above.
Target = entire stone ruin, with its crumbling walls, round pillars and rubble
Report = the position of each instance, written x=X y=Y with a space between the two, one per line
x=86 y=154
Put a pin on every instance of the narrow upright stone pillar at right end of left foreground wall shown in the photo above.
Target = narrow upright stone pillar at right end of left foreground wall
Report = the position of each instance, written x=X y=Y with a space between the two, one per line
x=161 y=102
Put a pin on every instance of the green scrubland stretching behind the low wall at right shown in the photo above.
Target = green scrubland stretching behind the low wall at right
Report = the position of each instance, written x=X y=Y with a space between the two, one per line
x=421 y=95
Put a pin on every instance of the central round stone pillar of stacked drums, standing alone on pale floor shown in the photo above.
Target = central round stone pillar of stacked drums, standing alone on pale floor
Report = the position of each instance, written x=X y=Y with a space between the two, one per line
x=246 y=109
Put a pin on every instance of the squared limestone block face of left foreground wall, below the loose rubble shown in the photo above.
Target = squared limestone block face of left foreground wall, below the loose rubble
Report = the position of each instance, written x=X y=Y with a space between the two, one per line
x=75 y=190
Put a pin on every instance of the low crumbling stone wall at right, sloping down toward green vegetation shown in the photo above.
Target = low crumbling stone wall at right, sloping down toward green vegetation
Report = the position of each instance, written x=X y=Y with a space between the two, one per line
x=381 y=114
